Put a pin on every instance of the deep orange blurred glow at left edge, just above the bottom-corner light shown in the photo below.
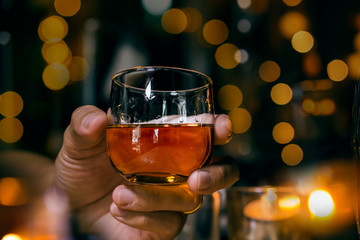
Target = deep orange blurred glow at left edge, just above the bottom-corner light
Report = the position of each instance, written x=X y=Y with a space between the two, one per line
x=13 y=191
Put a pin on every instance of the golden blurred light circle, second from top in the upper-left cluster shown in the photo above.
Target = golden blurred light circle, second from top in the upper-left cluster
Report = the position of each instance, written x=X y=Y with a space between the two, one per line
x=53 y=28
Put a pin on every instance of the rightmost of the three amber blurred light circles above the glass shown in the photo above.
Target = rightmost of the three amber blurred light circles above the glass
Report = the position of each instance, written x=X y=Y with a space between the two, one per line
x=215 y=32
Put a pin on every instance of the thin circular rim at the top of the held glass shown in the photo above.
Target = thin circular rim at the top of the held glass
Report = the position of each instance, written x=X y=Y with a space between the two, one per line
x=154 y=68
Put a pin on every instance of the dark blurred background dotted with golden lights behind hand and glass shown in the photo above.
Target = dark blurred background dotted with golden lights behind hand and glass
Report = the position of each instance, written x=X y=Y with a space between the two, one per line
x=284 y=70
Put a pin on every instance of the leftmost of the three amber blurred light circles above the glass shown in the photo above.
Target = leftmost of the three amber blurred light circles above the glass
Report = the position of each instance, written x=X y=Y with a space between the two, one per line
x=174 y=21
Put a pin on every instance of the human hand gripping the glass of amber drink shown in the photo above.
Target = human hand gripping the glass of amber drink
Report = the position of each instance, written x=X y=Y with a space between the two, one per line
x=108 y=205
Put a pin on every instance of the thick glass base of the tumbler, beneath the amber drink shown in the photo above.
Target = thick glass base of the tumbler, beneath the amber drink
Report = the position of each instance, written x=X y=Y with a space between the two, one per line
x=156 y=178
